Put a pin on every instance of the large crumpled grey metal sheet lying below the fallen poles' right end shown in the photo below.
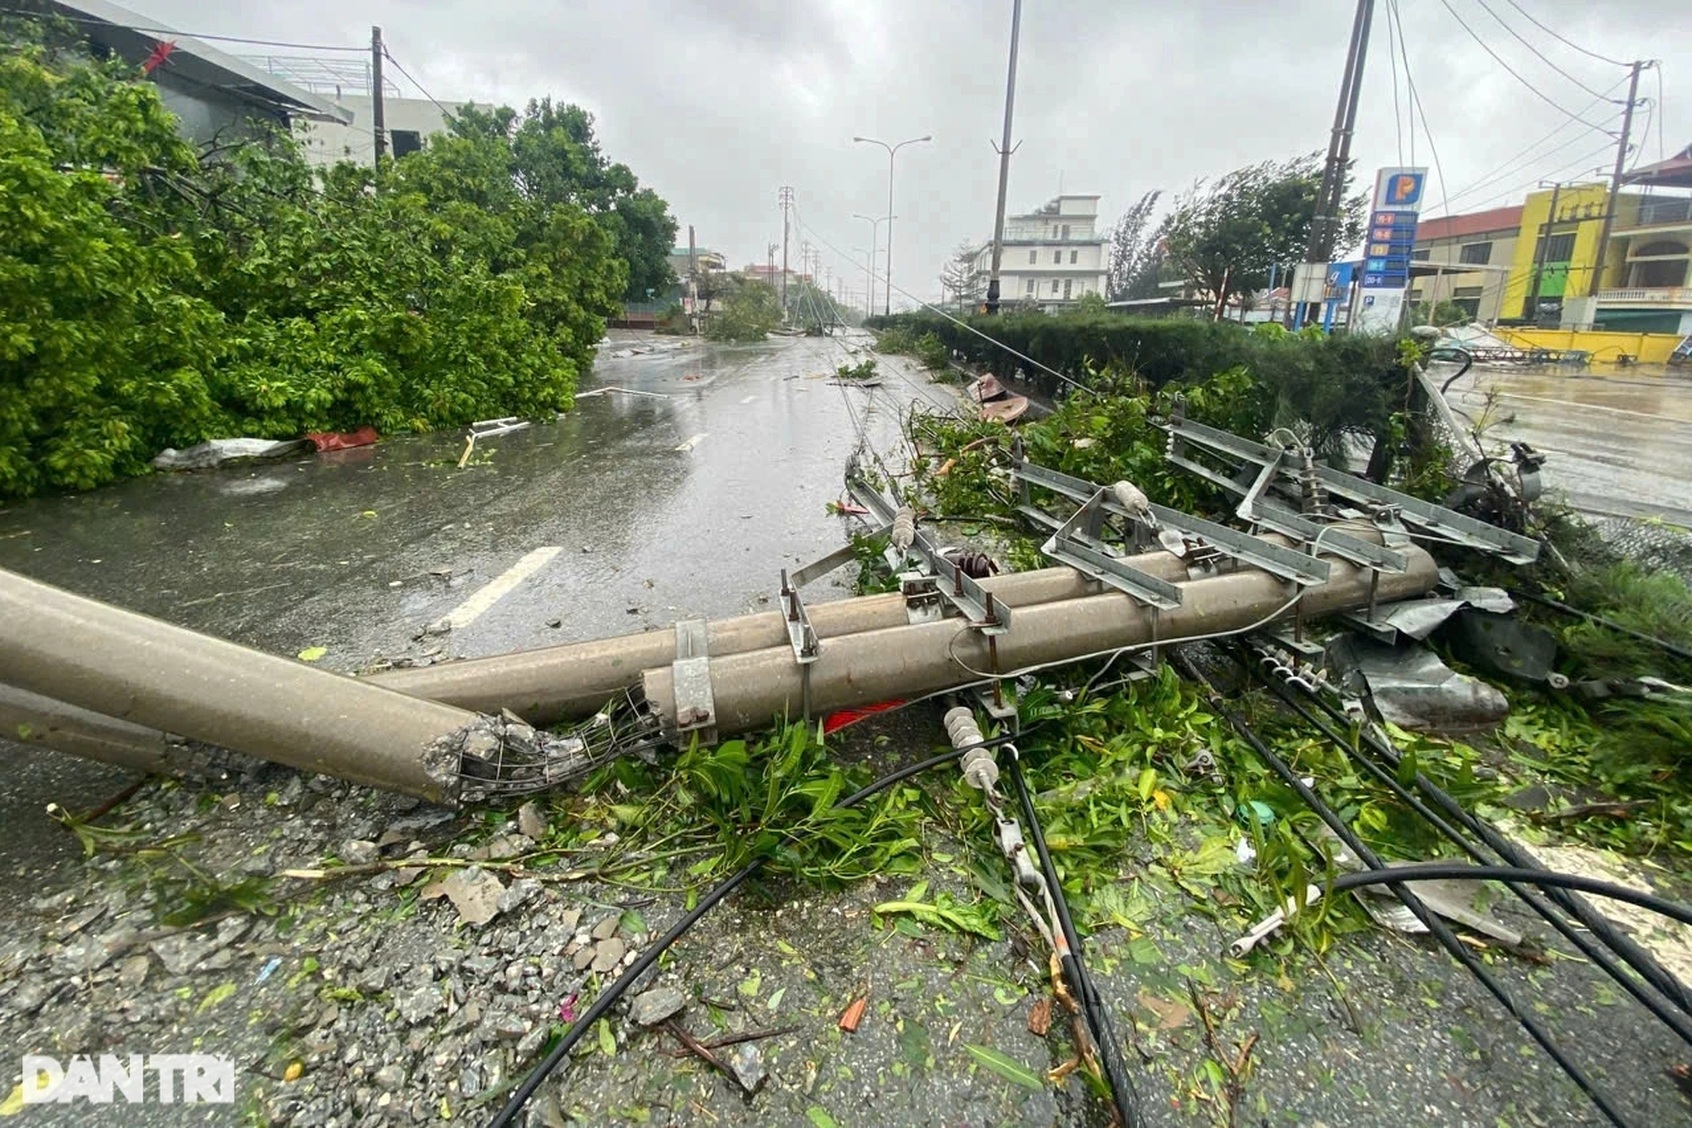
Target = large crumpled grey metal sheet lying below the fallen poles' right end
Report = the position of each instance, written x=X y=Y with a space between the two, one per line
x=1414 y=689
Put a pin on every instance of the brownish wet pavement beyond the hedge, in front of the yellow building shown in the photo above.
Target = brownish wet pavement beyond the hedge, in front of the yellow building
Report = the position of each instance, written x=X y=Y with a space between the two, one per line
x=1618 y=442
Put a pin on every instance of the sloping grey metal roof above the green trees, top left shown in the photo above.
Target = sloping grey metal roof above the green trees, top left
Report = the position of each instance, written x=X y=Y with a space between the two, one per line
x=135 y=36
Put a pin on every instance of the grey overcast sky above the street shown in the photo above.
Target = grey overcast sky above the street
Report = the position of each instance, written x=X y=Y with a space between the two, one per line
x=718 y=104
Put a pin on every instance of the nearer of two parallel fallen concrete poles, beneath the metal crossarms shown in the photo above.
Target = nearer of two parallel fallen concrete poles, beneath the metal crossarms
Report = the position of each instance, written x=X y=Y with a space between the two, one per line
x=752 y=689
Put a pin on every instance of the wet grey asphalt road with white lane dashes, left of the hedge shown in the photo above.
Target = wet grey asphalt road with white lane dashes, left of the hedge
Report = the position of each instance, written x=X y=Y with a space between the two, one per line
x=679 y=503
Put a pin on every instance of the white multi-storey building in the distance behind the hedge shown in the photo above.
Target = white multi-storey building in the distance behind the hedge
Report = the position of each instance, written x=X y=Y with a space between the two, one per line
x=1052 y=256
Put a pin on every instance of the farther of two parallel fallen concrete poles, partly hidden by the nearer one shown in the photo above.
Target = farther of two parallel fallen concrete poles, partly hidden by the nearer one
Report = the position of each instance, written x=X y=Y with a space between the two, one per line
x=574 y=681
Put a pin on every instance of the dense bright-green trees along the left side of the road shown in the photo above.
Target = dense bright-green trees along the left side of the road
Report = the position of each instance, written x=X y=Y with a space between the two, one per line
x=234 y=290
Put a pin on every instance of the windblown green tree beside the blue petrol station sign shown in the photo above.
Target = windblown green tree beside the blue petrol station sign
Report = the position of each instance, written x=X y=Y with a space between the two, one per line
x=1228 y=234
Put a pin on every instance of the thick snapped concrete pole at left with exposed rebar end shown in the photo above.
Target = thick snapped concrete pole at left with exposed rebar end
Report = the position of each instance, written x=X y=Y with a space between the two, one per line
x=151 y=674
